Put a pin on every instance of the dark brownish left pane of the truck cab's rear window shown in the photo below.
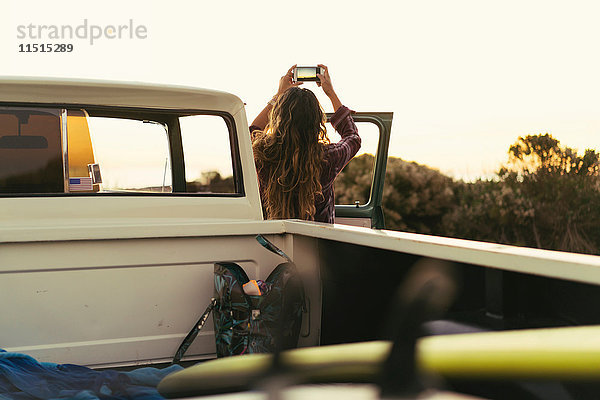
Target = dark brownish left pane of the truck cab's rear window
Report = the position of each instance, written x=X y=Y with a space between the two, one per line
x=30 y=151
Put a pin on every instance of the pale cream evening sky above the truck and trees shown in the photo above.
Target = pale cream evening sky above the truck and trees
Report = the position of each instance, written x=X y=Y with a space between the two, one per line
x=464 y=79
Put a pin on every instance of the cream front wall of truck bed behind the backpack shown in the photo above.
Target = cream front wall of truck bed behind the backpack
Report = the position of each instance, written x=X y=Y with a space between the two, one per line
x=122 y=302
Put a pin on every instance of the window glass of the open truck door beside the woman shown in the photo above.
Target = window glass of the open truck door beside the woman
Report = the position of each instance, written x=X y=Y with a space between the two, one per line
x=354 y=182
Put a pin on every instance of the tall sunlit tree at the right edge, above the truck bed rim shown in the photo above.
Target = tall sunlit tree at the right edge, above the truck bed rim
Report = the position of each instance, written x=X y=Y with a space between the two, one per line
x=546 y=196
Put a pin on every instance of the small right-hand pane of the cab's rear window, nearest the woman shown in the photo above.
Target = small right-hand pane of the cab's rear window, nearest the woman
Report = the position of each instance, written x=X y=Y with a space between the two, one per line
x=207 y=154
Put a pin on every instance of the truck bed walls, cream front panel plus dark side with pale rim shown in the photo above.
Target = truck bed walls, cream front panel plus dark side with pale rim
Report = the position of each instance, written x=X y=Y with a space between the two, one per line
x=103 y=302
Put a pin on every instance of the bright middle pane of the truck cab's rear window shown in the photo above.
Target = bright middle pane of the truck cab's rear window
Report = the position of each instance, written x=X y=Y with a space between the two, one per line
x=131 y=155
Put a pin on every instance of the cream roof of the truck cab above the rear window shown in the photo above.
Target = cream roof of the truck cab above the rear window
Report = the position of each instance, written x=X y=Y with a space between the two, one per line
x=114 y=94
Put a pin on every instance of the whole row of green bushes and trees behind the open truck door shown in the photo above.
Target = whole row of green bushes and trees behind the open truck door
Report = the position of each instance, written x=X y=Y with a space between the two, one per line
x=546 y=196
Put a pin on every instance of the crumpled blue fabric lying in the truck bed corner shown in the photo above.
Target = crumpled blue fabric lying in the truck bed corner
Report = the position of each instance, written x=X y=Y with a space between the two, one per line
x=24 y=378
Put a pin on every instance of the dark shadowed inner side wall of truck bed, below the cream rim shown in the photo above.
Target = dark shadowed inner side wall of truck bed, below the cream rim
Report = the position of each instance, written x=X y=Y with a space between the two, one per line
x=359 y=282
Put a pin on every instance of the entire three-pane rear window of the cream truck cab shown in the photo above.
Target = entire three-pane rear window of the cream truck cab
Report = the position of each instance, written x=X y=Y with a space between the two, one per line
x=46 y=151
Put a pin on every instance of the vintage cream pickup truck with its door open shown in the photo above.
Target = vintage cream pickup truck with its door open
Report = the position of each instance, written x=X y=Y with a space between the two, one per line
x=116 y=200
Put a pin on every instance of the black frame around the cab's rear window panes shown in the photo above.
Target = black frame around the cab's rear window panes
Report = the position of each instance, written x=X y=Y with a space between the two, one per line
x=171 y=119
